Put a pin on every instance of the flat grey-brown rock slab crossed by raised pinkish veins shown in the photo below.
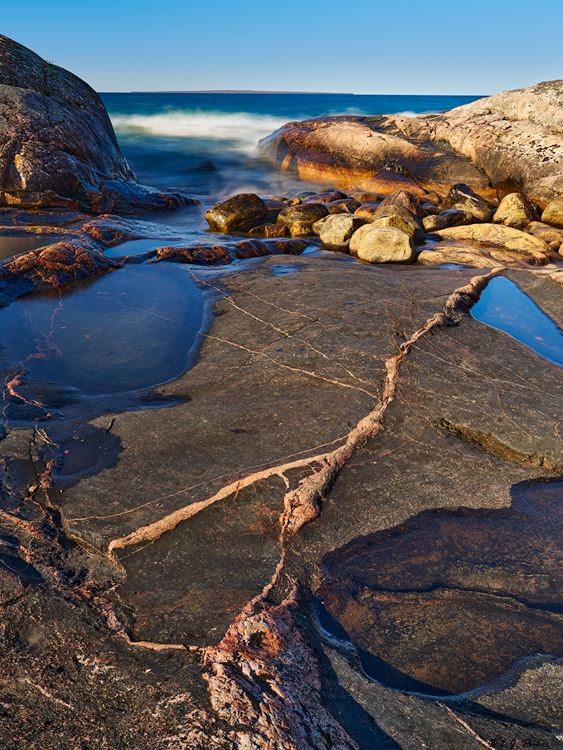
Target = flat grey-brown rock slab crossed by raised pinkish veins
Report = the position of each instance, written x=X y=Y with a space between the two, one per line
x=179 y=536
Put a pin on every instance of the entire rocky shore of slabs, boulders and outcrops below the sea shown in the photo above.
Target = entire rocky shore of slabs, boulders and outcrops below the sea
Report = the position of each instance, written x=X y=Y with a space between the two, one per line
x=339 y=528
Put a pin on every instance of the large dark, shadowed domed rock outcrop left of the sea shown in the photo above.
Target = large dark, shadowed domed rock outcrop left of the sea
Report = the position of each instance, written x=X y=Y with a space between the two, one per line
x=57 y=144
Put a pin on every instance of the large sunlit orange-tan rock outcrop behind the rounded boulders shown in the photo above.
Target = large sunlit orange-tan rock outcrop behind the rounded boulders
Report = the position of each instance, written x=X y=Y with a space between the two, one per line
x=509 y=142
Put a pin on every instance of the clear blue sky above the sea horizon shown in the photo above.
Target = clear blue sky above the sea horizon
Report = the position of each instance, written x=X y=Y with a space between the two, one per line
x=391 y=47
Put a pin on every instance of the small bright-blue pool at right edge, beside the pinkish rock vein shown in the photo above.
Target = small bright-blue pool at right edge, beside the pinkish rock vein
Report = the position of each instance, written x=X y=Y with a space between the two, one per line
x=504 y=305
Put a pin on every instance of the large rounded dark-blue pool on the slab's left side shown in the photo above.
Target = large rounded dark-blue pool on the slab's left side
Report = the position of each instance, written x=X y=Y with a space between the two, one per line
x=127 y=330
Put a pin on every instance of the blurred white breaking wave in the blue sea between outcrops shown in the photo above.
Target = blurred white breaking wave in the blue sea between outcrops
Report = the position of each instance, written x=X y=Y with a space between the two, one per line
x=242 y=129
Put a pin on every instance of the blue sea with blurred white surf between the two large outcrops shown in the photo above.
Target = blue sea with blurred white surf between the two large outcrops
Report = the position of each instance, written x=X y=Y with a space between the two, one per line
x=162 y=135
